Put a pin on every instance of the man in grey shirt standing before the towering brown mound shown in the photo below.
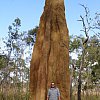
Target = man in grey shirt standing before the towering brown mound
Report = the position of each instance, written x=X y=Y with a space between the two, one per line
x=53 y=93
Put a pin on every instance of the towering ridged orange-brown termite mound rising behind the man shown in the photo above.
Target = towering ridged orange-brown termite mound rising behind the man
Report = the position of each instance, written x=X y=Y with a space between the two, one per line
x=50 y=58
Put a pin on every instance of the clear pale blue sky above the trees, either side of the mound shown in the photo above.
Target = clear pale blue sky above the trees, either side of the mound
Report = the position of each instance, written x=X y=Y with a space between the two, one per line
x=29 y=11
